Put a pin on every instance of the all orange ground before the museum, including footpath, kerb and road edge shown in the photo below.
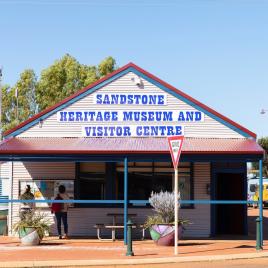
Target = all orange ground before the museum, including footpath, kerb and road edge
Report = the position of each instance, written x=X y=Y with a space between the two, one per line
x=75 y=251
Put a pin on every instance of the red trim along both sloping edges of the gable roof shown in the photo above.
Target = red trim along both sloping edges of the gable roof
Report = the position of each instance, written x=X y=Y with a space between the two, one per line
x=145 y=73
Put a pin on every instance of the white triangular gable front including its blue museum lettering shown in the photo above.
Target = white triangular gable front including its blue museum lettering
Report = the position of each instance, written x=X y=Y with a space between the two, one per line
x=145 y=114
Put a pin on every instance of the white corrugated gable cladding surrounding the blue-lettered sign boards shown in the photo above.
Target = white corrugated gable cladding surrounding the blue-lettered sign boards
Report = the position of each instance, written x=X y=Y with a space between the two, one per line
x=52 y=128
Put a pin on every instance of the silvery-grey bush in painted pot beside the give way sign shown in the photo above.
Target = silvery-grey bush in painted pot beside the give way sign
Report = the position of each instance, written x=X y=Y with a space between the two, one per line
x=161 y=224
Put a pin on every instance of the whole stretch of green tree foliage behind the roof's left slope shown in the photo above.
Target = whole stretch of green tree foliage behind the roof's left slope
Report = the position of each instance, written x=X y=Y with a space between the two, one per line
x=60 y=80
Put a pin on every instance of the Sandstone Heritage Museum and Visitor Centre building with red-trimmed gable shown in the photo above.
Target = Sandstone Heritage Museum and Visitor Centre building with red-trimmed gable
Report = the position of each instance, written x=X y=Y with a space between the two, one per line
x=115 y=130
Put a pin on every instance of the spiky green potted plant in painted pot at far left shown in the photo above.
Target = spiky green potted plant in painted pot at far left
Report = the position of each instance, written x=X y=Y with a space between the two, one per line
x=31 y=227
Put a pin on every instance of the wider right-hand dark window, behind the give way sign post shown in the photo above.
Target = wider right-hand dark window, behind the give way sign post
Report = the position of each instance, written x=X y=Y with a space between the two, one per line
x=143 y=178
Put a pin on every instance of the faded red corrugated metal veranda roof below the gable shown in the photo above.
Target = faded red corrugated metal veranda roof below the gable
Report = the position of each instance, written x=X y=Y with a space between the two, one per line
x=122 y=145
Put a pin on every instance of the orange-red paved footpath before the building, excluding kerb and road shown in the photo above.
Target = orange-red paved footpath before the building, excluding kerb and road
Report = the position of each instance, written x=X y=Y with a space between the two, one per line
x=92 y=249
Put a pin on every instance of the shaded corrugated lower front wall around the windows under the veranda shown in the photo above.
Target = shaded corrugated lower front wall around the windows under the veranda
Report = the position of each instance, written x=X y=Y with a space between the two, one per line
x=82 y=220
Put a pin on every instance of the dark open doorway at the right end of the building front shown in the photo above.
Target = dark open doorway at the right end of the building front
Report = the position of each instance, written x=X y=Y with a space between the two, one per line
x=230 y=219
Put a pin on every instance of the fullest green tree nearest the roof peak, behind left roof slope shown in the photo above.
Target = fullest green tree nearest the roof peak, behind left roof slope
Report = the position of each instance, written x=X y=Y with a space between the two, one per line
x=66 y=76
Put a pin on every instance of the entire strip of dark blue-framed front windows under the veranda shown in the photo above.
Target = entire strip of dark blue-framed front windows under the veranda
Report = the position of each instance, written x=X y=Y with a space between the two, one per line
x=100 y=181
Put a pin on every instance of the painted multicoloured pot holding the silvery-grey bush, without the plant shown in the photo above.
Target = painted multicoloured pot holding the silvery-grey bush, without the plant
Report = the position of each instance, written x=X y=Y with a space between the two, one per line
x=164 y=234
